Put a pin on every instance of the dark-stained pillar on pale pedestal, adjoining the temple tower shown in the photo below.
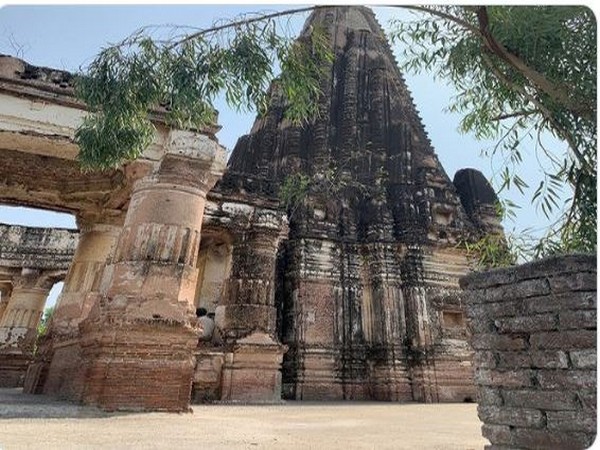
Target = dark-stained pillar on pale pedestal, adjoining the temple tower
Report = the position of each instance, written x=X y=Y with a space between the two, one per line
x=252 y=370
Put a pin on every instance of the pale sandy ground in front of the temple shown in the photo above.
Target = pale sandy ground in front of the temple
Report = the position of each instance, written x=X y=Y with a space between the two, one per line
x=36 y=422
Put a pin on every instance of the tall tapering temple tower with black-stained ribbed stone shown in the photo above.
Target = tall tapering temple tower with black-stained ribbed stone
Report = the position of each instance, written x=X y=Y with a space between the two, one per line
x=367 y=292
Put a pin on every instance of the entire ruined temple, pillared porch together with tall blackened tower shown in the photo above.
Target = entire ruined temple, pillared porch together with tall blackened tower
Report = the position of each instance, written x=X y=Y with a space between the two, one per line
x=329 y=253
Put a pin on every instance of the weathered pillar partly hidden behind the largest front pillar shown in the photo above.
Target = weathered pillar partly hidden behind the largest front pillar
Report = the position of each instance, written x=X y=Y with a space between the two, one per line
x=58 y=361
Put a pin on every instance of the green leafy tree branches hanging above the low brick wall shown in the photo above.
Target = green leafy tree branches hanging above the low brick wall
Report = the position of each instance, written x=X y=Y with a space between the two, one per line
x=521 y=71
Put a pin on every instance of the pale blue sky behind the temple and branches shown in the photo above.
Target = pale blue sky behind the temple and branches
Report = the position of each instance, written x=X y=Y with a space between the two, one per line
x=67 y=37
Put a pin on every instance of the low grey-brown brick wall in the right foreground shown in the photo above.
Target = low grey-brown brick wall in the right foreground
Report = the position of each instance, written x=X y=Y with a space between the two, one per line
x=534 y=335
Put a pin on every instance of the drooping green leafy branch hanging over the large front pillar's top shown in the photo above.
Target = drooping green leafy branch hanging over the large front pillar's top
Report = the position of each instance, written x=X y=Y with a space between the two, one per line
x=183 y=75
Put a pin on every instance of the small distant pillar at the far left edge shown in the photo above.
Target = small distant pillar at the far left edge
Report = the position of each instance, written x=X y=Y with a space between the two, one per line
x=18 y=327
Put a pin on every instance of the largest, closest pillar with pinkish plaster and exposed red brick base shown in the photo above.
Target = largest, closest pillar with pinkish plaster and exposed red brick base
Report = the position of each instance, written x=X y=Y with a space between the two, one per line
x=139 y=338
